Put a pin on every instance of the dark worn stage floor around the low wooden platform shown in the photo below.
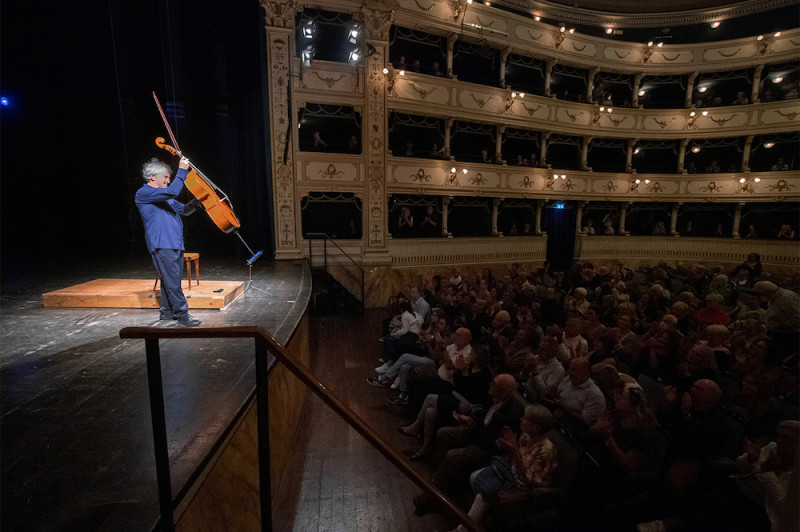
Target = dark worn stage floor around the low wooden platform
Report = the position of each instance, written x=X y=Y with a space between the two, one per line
x=76 y=447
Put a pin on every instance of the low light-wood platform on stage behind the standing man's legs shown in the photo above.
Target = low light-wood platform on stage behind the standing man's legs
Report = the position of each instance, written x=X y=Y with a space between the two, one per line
x=139 y=293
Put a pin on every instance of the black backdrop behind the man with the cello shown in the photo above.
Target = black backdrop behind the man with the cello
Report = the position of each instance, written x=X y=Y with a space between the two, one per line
x=81 y=119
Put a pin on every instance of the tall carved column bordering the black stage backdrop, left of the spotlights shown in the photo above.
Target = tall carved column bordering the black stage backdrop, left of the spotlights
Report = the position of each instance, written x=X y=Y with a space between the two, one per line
x=280 y=51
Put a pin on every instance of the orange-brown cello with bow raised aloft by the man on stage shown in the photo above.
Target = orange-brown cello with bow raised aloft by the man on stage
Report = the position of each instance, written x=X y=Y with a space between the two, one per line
x=201 y=187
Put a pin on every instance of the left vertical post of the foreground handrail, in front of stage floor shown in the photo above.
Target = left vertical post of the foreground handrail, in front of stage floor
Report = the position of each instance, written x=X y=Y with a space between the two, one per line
x=158 y=417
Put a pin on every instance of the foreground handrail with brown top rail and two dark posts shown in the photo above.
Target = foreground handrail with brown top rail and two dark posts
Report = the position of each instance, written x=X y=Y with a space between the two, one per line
x=264 y=343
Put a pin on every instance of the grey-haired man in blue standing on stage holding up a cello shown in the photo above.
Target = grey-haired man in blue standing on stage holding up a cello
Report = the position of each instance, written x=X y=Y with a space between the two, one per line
x=163 y=229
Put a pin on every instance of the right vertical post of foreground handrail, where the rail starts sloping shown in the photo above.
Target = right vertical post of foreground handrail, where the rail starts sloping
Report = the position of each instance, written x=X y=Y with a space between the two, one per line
x=262 y=407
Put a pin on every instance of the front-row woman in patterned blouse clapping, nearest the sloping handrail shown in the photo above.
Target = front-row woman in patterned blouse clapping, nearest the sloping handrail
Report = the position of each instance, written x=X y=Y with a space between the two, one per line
x=529 y=462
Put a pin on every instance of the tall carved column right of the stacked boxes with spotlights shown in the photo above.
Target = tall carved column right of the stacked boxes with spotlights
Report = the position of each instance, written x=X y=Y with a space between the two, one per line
x=376 y=29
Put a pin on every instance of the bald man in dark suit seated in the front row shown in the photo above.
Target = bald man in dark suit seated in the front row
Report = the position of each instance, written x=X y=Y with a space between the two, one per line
x=468 y=446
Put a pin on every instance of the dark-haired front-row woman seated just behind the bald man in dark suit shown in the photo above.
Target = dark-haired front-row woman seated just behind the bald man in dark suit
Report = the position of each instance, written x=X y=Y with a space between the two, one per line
x=469 y=389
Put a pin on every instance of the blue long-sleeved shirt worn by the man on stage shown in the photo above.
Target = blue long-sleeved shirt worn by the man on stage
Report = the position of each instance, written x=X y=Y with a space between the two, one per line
x=161 y=213
